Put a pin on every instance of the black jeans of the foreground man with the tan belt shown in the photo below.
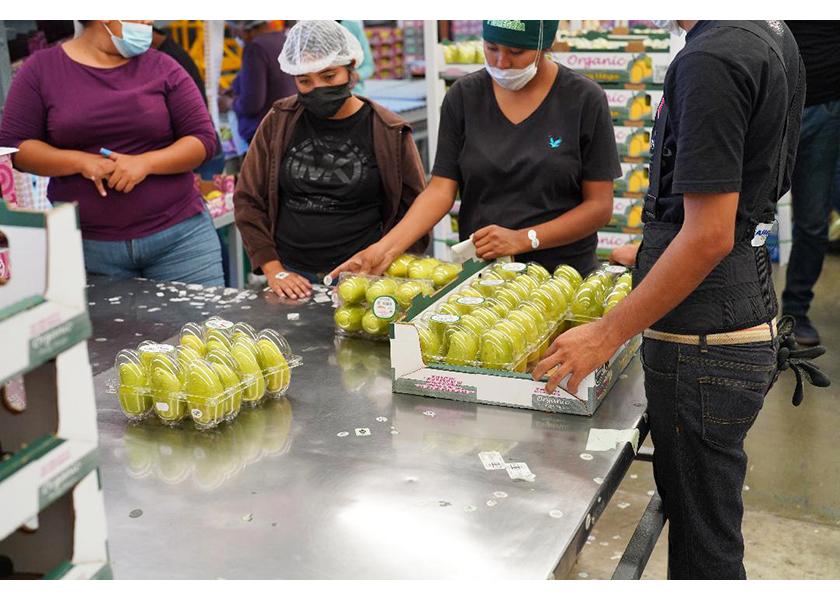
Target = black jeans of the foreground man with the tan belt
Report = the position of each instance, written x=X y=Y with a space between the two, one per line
x=701 y=404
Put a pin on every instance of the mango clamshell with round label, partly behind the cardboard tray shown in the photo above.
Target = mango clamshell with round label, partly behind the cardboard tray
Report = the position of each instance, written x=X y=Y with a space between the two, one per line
x=366 y=305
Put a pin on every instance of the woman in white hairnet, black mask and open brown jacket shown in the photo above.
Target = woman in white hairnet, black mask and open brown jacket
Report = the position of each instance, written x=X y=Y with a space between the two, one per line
x=328 y=173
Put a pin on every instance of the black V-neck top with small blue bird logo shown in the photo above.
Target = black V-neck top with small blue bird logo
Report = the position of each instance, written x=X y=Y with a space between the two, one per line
x=519 y=176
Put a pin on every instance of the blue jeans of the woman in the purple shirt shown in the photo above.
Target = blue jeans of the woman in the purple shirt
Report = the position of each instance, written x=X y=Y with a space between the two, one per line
x=188 y=252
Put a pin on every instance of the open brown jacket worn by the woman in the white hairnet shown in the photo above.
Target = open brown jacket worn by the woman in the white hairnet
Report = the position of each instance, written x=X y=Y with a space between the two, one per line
x=257 y=197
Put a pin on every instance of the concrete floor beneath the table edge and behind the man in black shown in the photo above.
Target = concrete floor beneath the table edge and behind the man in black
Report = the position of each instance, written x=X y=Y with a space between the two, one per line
x=792 y=492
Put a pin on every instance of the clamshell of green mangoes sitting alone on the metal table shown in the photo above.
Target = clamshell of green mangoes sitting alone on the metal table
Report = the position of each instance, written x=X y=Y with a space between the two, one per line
x=217 y=369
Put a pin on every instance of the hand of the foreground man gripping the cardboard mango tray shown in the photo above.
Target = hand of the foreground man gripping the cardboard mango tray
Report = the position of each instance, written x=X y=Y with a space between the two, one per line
x=578 y=351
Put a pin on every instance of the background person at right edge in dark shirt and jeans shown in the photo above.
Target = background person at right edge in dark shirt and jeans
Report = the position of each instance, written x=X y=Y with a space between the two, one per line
x=819 y=147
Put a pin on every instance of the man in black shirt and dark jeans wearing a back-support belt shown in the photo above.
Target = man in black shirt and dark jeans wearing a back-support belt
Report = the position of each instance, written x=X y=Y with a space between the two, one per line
x=723 y=148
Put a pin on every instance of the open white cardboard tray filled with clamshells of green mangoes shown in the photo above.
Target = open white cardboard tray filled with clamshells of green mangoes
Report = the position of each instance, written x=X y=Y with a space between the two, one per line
x=479 y=338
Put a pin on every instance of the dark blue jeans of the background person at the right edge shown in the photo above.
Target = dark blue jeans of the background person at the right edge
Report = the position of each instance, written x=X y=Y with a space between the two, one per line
x=813 y=177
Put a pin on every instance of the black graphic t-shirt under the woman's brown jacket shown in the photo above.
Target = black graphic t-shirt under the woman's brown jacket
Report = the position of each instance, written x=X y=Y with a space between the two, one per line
x=331 y=193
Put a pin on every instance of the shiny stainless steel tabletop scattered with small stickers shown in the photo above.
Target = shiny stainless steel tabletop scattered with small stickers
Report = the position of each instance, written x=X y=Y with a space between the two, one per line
x=343 y=479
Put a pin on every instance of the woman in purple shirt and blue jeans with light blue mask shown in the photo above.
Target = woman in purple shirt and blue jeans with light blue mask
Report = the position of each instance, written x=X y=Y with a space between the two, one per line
x=140 y=212
